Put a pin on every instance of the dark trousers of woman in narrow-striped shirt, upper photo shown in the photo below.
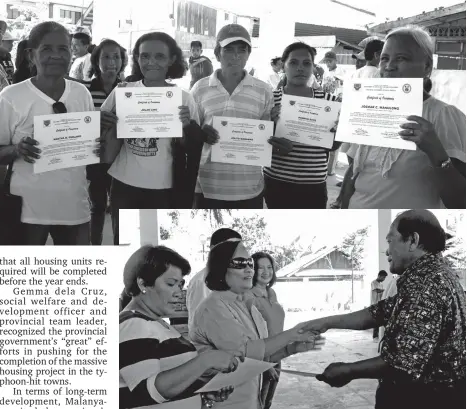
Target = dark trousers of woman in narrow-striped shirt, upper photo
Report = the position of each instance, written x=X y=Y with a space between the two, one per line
x=285 y=195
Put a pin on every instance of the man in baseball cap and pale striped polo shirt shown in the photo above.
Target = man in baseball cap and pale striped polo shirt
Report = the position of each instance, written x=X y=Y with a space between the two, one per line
x=230 y=92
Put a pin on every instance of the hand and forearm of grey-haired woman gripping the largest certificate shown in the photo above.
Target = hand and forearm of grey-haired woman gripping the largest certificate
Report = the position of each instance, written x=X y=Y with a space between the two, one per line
x=423 y=134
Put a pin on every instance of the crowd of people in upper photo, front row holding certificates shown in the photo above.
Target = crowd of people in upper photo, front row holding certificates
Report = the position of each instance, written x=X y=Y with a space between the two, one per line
x=179 y=172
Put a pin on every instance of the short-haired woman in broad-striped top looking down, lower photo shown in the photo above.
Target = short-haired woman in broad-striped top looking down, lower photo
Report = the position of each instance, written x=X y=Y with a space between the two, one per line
x=157 y=364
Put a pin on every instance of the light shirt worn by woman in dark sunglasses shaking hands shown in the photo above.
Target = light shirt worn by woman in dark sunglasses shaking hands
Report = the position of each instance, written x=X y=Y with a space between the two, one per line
x=224 y=322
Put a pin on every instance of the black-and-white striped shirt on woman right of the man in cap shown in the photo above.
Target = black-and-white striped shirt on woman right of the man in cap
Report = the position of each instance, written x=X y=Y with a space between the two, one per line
x=305 y=164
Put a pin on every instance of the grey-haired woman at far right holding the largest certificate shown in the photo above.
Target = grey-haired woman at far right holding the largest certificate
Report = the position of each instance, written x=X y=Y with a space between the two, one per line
x=433 y=176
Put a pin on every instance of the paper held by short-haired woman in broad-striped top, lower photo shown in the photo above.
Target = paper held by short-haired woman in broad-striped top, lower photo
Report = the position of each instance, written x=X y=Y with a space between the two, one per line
x=245 y=371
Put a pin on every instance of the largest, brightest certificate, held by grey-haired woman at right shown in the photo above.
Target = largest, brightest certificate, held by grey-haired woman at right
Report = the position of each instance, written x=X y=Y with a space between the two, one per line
x=374 y=108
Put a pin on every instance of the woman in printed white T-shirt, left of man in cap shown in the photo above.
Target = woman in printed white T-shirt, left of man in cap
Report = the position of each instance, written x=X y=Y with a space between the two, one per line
x=145 y=172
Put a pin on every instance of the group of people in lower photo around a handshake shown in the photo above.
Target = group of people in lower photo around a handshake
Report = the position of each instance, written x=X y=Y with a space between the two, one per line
x=234 y=312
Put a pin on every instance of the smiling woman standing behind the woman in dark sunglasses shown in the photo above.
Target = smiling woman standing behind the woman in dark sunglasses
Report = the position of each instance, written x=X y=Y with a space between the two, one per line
x=264 y=298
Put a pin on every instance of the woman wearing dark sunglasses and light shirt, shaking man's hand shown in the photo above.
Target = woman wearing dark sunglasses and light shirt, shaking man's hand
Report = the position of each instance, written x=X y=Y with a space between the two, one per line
x=223 y=320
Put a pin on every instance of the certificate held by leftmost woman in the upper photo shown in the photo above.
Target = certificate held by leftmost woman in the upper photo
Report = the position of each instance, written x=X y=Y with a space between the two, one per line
x=66 y=140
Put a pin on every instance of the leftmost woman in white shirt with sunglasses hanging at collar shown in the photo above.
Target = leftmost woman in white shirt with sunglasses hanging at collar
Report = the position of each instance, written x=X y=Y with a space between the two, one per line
x=54 y=202
